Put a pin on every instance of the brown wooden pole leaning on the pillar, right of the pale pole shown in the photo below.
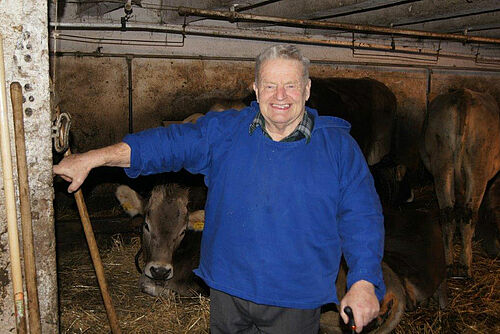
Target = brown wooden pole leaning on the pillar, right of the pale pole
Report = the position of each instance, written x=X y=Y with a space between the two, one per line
x=16 y=96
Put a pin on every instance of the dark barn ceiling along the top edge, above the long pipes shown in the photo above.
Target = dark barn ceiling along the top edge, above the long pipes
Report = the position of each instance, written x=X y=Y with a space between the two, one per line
x=470 y=17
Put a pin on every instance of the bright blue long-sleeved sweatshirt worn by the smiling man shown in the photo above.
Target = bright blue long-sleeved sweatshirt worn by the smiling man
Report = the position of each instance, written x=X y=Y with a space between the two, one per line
x=278 y=215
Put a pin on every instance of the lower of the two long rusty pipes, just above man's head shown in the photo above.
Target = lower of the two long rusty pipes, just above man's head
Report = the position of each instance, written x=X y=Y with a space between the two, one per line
x=265 y=36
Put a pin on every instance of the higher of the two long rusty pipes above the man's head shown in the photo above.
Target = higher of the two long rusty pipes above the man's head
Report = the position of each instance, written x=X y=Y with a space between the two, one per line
x=234 y=16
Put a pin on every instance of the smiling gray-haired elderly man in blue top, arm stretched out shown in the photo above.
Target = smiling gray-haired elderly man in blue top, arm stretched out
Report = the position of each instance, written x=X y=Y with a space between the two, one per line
x=289 y=192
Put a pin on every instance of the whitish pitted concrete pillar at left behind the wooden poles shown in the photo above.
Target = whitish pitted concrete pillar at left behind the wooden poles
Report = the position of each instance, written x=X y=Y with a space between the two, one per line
x=23 y=25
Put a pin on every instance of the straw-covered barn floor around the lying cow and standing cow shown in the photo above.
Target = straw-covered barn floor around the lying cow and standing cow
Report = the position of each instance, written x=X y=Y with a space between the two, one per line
x=474 y=305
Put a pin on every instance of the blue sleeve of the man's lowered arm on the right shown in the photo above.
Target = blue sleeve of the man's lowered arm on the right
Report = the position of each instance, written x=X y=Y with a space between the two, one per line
x=361 y=222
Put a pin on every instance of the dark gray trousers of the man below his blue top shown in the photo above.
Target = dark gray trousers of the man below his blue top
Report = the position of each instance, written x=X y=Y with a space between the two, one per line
x=231 y=315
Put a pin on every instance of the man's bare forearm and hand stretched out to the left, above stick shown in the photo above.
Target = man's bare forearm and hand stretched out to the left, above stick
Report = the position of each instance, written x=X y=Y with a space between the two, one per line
x=76 y=167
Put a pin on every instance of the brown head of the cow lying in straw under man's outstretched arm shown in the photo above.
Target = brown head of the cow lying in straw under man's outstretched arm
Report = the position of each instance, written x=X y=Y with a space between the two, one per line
x=165 y=222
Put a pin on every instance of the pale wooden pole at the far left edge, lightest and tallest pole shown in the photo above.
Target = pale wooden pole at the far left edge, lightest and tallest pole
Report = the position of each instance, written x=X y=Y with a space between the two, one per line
x=10 y=204
